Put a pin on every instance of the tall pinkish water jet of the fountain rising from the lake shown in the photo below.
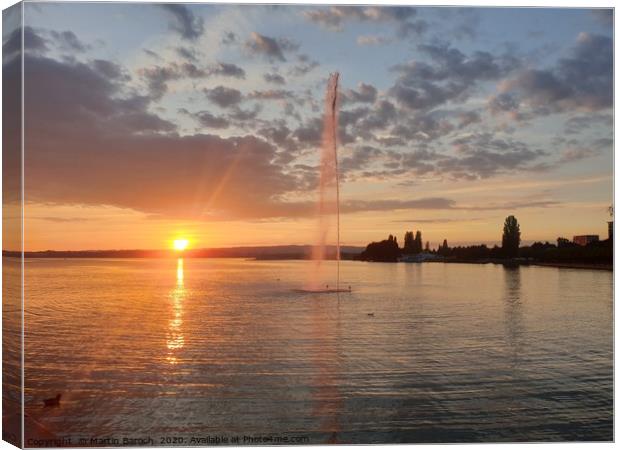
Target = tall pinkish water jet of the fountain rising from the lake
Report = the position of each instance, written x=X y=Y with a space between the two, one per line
x=329 y=190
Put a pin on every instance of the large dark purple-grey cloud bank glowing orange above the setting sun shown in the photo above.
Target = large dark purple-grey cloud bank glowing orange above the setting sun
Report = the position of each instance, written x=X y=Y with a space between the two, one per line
x=125 y=157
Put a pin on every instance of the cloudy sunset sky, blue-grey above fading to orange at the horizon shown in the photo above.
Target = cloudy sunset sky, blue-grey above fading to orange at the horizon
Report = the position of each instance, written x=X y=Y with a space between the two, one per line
x=149 y=122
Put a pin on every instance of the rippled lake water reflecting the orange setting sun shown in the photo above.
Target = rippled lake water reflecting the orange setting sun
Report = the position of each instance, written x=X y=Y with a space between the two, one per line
x=173 y=350
